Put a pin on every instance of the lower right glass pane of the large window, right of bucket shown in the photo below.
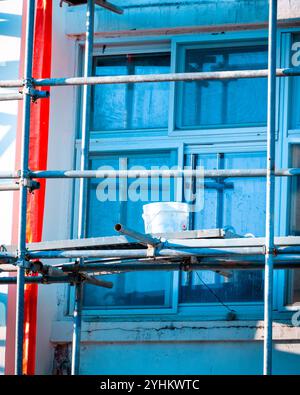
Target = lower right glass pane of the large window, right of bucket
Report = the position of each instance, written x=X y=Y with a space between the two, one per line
x=237 y=203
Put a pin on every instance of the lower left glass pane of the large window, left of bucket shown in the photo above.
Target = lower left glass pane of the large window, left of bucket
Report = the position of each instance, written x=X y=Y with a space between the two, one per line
x=135 y=289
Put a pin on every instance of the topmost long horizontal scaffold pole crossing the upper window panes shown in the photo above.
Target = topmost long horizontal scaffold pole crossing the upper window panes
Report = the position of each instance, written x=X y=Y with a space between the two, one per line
x=170 y=77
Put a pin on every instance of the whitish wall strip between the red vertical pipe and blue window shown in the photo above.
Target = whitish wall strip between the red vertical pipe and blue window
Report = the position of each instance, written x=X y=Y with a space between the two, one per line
x=58 y=192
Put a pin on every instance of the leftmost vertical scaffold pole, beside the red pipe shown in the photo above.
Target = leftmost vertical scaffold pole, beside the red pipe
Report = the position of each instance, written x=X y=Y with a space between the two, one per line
x=23 y=189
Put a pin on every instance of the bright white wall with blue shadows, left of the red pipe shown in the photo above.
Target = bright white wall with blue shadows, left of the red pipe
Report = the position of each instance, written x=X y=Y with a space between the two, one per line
x=10 y=32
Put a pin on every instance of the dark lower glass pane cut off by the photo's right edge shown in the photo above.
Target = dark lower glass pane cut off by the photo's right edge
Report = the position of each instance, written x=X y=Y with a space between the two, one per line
x=293 y=276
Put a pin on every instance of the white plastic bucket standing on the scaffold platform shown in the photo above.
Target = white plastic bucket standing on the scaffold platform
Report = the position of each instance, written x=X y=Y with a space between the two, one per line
x=166 y=217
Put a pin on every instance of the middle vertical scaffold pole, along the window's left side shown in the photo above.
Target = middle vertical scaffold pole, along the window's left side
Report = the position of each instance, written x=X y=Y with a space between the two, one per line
x=85 y=140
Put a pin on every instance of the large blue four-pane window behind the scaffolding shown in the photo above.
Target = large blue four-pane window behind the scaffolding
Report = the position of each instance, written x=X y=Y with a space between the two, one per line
x=236 y=203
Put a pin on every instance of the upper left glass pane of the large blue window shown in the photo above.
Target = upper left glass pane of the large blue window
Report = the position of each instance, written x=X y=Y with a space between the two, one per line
x=131 y=106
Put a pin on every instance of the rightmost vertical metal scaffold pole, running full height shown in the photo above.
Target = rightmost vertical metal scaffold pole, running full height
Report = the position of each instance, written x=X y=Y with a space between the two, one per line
x=270 y=189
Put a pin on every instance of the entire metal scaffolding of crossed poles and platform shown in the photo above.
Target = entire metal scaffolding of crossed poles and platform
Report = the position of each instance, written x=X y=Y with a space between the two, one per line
x=167 y=252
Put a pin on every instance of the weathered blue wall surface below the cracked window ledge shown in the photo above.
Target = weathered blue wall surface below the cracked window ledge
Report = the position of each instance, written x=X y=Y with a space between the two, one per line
x=187 y=358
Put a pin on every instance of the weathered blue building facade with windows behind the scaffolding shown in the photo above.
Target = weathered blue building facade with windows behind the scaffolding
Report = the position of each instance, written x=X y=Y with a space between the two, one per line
x=180 y=323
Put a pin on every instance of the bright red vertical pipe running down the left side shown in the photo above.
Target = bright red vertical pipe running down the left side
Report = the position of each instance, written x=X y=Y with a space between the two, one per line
x=39 y=131
